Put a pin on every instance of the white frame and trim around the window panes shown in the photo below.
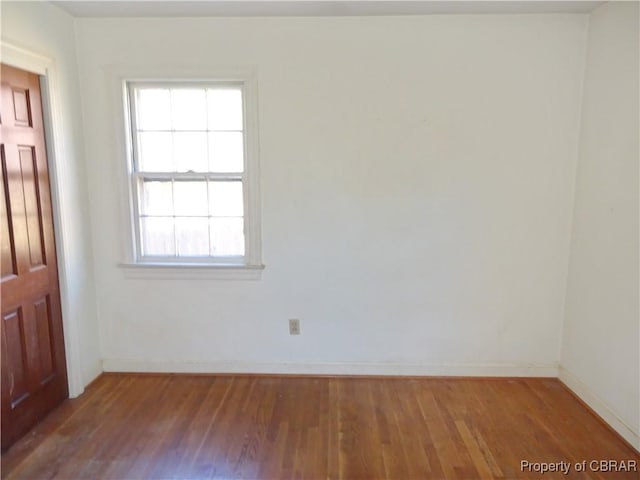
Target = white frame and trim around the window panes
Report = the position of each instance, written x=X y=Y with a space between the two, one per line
x=248 y=266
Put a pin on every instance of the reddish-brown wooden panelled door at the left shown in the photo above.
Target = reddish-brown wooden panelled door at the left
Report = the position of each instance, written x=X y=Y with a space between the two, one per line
x=34 y=374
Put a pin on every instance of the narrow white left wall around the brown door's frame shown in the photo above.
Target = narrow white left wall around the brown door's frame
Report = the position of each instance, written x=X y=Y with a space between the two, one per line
x=48 y=31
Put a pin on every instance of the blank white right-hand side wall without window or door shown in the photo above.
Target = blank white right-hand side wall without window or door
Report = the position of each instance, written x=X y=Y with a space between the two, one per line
x=601 y=341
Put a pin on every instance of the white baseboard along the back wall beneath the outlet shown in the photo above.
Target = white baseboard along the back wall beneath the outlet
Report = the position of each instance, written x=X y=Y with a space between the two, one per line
x=391 y=369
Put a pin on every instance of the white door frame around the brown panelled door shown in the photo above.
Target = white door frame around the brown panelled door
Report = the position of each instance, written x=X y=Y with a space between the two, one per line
x=57 y=150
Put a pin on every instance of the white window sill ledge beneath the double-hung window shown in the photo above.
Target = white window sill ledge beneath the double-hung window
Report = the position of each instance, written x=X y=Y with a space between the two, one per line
x=184 y=271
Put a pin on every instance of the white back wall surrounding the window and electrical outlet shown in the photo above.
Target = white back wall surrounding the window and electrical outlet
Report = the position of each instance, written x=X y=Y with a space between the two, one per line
x=417 y=183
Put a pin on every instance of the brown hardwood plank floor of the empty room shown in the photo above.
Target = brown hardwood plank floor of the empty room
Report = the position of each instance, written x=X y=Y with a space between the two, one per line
x=188 y=427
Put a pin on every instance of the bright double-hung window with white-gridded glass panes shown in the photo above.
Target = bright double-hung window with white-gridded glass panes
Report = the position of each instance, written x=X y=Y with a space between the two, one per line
x=192 y=174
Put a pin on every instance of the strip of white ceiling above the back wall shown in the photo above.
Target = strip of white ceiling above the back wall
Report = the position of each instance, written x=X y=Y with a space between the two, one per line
x=313 y=8
